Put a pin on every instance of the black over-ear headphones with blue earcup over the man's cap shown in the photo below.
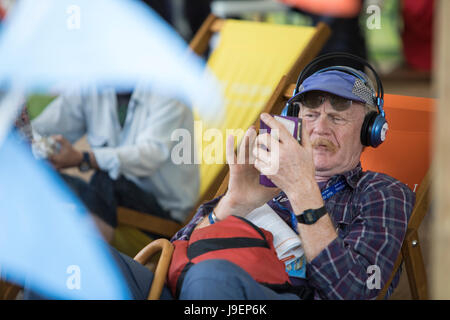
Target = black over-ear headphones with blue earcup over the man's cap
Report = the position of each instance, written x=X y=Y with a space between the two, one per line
x=374 y=128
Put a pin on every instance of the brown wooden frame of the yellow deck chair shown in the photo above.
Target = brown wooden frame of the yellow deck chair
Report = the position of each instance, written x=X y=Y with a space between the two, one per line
x=199 y=45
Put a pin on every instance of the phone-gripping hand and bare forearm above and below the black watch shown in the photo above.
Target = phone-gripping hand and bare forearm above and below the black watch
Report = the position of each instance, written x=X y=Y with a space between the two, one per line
x=296 y=177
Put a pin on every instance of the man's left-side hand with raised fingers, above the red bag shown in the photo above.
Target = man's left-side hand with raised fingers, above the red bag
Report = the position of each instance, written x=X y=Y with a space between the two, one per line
x=244 y=192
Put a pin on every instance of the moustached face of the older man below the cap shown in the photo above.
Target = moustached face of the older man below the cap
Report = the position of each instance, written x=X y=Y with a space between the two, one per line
x=335 y=136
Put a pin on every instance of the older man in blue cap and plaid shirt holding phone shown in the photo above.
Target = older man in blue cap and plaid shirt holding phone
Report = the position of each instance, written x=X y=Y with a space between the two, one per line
x=359 y=226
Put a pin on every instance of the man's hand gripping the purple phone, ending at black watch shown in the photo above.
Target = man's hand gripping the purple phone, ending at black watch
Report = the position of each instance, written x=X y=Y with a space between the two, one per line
x=294 y=164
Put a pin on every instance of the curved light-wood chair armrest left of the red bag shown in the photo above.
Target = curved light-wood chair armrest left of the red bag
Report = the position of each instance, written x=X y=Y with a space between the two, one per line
x=162 y=267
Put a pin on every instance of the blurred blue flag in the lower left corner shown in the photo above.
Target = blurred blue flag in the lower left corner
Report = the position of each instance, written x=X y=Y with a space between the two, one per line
x=47 y=238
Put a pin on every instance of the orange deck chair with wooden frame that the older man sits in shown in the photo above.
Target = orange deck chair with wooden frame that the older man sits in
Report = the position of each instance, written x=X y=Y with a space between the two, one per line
x=406 y=156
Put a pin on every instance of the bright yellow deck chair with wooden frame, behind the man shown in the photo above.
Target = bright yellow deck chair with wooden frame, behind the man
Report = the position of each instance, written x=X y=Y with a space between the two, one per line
x=254 y=62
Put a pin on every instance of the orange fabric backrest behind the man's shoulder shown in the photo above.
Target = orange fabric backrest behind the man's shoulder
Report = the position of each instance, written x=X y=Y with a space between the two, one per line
x=406 y=153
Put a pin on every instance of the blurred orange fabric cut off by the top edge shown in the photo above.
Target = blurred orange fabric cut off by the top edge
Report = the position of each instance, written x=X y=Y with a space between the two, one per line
x=334 y=8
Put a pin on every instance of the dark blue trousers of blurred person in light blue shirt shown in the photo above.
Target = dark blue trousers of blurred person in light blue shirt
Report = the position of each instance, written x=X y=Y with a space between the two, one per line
x=102 y=195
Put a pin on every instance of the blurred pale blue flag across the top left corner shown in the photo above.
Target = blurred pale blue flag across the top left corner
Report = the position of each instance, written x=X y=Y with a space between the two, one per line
x=50 y=44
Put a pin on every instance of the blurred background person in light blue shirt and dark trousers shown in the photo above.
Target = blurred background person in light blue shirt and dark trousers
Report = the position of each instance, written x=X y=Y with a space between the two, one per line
x=130 y=139
